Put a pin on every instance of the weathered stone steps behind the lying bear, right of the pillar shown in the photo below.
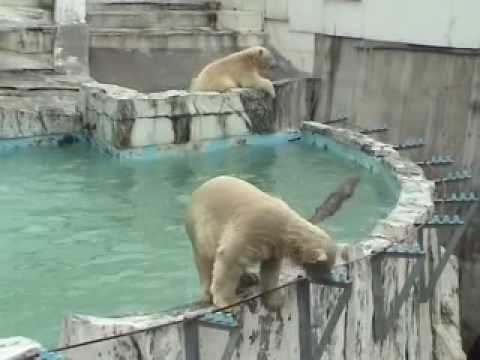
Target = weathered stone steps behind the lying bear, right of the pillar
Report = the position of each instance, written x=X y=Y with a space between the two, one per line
x=156 y=24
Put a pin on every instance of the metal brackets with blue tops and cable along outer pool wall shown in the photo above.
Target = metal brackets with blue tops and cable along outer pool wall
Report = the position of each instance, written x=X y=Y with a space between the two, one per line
x=221 y=319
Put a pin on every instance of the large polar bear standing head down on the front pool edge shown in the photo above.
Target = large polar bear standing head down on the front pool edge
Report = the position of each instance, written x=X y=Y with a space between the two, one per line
x=233 y=225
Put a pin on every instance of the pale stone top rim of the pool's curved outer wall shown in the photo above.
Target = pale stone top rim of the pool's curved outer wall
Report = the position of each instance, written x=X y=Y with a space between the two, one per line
x=398 y=225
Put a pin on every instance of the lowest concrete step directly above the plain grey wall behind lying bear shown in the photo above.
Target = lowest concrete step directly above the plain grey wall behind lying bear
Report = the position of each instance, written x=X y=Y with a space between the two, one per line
x=158 y=38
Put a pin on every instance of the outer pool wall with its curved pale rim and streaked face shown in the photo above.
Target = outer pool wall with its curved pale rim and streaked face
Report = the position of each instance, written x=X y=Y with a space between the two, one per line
x=384 y=314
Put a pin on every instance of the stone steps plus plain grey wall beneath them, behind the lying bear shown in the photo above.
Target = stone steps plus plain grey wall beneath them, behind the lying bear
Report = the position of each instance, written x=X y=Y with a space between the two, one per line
x=166 y=41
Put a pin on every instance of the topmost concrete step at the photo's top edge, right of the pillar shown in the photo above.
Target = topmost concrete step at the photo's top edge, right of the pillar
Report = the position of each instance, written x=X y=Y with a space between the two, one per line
x=150 y=5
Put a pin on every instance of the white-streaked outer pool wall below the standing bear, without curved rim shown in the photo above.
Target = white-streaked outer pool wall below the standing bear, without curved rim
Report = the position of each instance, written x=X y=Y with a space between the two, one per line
x=347 y=324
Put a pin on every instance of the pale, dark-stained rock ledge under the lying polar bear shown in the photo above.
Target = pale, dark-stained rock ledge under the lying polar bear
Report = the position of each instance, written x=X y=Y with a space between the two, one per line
x=125 y=118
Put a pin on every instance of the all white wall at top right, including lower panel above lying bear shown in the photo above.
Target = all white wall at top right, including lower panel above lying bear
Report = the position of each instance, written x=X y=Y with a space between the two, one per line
x=291 y=24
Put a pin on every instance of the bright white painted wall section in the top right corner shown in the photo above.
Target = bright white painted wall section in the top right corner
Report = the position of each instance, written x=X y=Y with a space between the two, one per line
x=450 y=23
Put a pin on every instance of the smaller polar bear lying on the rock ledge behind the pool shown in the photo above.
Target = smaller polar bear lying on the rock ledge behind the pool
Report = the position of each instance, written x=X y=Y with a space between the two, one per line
x=238 y=70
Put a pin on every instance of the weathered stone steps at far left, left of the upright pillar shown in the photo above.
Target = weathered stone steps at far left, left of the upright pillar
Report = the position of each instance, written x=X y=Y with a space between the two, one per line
x=37 y=101
